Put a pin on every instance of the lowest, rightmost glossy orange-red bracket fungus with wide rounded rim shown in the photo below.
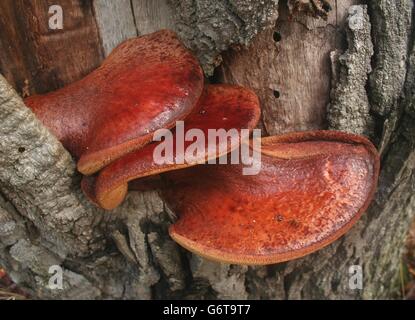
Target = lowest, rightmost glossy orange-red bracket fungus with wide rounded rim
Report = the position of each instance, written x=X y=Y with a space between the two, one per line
x=313 y=186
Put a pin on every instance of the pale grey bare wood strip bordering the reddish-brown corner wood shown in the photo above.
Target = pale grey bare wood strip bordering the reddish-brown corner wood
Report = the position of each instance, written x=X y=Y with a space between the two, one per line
x=115 y=21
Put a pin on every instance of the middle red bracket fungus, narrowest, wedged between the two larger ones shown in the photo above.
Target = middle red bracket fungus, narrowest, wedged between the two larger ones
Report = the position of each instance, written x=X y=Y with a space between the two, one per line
x=222 y=107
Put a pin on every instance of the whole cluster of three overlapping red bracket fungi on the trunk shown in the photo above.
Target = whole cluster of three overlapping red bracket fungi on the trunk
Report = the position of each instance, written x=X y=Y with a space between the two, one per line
x=312 y=186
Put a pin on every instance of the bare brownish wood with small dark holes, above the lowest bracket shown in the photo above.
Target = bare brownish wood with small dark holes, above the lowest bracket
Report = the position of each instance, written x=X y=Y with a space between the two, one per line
x=289 y=68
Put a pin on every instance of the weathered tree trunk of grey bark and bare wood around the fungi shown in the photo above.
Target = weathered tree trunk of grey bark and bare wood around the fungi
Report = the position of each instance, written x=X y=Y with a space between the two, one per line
x=354 y=72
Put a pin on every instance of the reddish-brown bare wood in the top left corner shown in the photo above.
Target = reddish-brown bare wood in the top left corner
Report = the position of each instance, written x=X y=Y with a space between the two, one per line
x=36 y=59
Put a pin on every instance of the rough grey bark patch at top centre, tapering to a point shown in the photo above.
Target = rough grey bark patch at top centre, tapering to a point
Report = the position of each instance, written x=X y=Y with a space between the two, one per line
x=210 y=27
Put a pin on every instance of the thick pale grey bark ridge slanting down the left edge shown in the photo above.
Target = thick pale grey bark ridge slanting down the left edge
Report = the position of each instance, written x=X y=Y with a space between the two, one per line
x=43 y=176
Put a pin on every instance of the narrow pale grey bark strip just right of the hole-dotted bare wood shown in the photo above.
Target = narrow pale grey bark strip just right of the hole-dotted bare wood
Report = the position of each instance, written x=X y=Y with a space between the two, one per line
x=349 y=108
